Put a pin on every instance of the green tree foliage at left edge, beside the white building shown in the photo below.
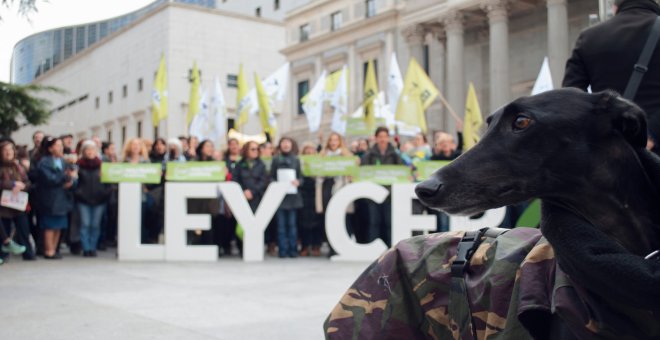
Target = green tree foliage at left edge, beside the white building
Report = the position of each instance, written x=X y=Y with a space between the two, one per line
x=19 y=106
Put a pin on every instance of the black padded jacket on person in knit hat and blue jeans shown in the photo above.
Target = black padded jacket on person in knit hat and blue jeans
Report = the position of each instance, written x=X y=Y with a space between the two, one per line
x=90 y=190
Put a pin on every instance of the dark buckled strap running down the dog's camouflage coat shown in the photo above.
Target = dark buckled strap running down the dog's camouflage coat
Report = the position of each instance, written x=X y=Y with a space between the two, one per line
x=459 y=302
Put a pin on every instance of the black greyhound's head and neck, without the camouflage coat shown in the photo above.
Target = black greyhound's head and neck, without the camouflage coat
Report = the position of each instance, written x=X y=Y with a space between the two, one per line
x=584 y=155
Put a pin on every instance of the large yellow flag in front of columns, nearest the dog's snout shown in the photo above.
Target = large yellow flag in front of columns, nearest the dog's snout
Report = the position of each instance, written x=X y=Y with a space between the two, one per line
x=417 y=95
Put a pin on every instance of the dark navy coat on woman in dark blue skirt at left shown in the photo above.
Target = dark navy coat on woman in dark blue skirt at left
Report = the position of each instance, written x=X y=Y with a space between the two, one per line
x=51 y=196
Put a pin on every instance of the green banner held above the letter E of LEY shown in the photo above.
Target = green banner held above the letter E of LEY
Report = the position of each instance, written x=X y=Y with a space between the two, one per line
x=195 y=171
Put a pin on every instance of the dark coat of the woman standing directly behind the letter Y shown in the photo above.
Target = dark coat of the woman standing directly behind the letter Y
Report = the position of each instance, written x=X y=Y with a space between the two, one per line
x=252 y=177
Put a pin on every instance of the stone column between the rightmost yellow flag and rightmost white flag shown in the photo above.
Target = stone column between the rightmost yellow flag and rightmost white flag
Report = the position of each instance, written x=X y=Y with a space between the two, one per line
x=500 y=87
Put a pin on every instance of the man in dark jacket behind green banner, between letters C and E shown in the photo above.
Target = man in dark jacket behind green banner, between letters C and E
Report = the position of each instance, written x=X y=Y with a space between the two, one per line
x=380 y=218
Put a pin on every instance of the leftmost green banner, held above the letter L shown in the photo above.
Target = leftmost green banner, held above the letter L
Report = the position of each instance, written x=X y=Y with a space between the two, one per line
x=126 y=172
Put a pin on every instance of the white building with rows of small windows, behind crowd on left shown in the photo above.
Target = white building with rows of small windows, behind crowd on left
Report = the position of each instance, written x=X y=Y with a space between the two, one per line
x=109 y=84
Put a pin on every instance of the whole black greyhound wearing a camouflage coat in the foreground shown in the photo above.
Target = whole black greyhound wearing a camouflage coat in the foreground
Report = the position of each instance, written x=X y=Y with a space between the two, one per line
x=584 y=155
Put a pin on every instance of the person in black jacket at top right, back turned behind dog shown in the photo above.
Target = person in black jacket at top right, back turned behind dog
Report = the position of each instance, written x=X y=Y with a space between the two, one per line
x=604 y=56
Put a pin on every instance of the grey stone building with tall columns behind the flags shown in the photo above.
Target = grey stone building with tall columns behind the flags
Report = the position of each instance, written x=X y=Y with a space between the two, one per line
x=498 y=45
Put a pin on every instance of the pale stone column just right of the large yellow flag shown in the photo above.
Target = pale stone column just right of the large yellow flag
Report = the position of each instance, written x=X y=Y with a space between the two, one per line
x=456 y=87
